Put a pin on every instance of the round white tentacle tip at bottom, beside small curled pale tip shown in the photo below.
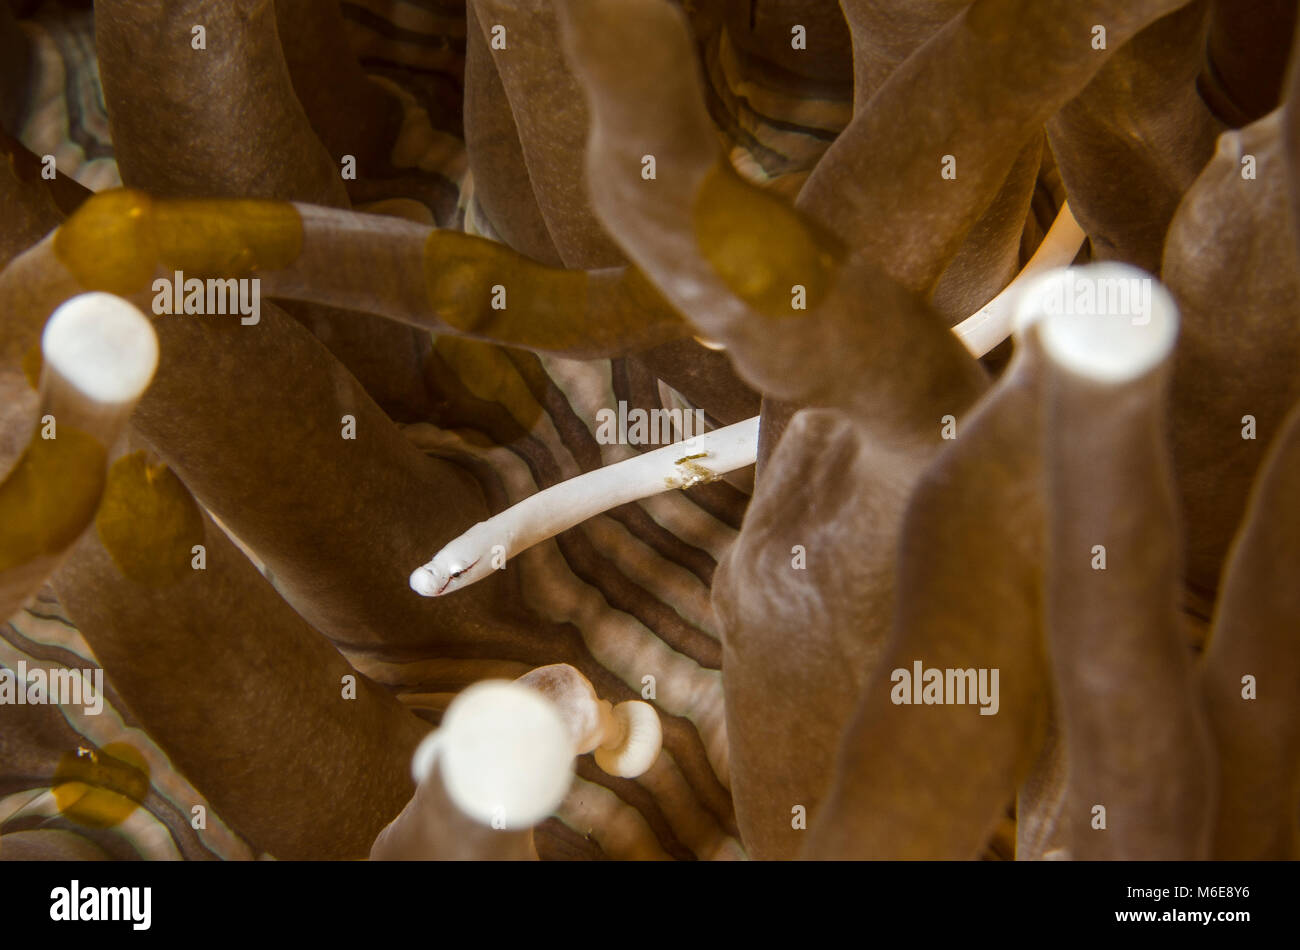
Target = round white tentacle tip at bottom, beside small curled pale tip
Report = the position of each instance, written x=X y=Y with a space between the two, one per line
x=505 y=754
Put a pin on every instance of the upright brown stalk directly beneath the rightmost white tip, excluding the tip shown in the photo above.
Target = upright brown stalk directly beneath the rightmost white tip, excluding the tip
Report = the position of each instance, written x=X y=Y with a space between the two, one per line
x=1134 y=728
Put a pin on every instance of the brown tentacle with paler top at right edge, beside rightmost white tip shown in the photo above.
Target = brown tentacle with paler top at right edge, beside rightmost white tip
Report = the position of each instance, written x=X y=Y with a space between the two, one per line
x=1230 y=262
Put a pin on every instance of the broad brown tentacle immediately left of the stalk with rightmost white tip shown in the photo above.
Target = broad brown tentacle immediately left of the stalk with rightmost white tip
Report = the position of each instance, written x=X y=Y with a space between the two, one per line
x=943 y=774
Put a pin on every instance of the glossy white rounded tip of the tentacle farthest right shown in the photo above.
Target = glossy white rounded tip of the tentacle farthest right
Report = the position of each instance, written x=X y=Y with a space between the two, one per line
x=1107 y=323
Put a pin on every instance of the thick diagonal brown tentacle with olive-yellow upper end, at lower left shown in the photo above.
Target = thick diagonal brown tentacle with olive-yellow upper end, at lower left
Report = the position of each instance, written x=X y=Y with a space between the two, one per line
x=248 y=700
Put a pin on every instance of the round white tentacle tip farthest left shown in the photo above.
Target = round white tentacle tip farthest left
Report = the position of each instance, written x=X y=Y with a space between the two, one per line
x=103 y=346
